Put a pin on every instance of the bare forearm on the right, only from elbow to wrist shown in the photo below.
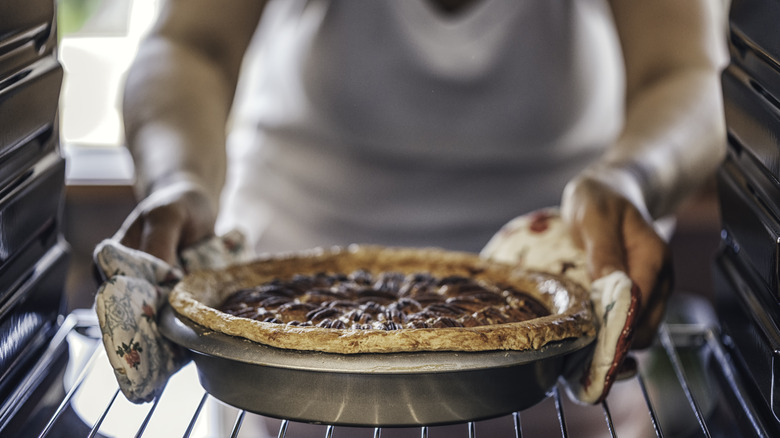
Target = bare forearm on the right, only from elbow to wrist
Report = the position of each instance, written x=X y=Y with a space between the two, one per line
x=673 y=138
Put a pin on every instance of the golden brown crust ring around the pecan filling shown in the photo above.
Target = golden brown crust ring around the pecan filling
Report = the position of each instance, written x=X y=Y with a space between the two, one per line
x=198 y=294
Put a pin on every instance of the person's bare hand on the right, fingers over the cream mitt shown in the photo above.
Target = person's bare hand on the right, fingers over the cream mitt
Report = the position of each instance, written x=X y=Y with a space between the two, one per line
x=615 y=235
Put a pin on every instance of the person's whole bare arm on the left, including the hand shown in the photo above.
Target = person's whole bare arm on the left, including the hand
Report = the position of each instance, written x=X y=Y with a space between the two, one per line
x=177 y=98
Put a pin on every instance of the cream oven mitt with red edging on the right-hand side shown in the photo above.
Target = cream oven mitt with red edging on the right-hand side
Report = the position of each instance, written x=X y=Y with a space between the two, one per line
x=541 y=241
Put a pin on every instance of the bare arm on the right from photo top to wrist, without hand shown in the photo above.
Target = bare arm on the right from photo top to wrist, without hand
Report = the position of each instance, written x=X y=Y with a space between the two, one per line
x=674 y=132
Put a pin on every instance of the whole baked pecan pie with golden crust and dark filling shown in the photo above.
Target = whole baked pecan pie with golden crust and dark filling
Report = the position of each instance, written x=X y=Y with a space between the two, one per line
x=373 y=299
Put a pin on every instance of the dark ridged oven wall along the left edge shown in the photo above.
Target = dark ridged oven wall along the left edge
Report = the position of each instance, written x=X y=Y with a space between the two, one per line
x=33 y=255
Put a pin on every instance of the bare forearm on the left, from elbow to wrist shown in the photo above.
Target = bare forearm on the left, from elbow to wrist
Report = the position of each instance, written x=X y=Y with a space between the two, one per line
x=176 y=105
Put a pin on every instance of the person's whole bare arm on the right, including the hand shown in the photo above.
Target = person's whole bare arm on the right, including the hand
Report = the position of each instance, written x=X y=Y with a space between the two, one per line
x=673 y=139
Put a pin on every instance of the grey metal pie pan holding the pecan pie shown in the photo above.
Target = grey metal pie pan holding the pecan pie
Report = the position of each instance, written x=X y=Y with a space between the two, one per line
x=378 y=389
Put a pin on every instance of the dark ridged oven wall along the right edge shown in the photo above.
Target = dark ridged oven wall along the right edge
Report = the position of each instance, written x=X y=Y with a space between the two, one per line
x=747 y=281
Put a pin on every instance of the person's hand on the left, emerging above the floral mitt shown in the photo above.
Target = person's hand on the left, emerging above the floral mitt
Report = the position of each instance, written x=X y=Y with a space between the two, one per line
x=169 y=219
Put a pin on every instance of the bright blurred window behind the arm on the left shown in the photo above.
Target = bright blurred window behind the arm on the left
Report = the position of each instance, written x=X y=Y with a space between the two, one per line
x=98 y=40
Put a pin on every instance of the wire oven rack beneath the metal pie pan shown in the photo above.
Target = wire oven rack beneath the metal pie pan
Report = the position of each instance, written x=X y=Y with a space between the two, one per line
x=686 y=385
